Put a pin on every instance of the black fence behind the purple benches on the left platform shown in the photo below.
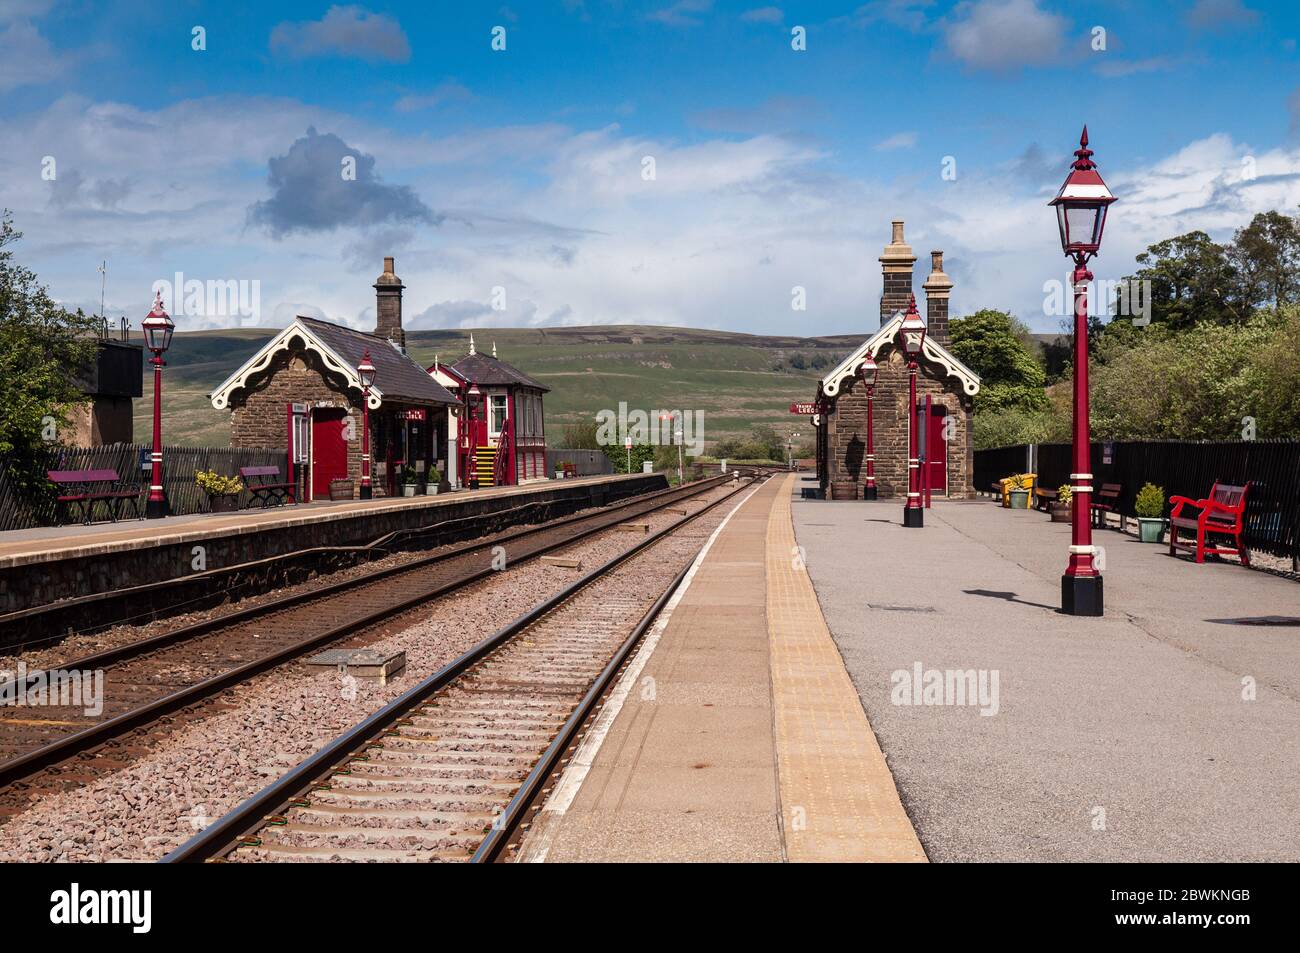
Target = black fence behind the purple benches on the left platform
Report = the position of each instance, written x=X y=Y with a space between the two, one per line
x=23 y=509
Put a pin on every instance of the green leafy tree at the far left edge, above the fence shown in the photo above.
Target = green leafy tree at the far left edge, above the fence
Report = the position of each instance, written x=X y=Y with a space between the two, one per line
x=44 y=352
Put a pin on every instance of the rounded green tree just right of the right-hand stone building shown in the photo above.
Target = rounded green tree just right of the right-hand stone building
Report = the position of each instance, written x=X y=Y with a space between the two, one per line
x=996 y=346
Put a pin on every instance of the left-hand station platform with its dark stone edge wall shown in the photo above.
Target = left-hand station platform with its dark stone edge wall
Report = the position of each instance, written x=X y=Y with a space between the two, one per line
x=46 y=565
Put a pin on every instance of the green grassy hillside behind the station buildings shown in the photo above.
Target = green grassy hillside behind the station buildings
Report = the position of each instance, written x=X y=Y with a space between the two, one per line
x=726 y=375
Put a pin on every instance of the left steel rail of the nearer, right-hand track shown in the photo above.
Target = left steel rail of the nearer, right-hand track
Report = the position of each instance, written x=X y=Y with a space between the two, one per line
x=289 y=791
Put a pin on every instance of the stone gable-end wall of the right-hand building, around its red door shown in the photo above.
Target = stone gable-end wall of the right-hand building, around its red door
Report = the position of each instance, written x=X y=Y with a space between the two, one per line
x=847 y=428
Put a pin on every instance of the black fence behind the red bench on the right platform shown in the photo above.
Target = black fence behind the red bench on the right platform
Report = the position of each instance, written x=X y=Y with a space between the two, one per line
x=1186 y=469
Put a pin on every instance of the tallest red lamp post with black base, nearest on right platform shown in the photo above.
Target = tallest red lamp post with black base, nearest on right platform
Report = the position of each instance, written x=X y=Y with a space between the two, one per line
x=1081 y=207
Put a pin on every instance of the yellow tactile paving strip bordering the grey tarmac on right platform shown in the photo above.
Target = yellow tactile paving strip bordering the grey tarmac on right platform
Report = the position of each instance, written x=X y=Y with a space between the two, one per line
x=839 y=800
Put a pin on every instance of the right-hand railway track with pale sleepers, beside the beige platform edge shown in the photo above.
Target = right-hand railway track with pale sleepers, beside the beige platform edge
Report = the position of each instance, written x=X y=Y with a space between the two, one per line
x=452 y=769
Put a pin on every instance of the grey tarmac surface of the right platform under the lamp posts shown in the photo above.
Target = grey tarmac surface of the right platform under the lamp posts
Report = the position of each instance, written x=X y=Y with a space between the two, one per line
x=1163 y=731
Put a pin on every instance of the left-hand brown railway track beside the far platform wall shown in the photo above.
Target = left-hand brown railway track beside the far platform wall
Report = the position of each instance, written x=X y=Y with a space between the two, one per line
x=174 y=674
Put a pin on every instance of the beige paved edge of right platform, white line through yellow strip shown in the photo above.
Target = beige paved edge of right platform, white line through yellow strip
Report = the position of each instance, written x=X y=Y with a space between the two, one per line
x=736 y=733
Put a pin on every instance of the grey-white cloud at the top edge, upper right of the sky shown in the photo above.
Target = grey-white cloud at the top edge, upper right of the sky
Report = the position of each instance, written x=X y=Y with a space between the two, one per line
x=1004 y=34
